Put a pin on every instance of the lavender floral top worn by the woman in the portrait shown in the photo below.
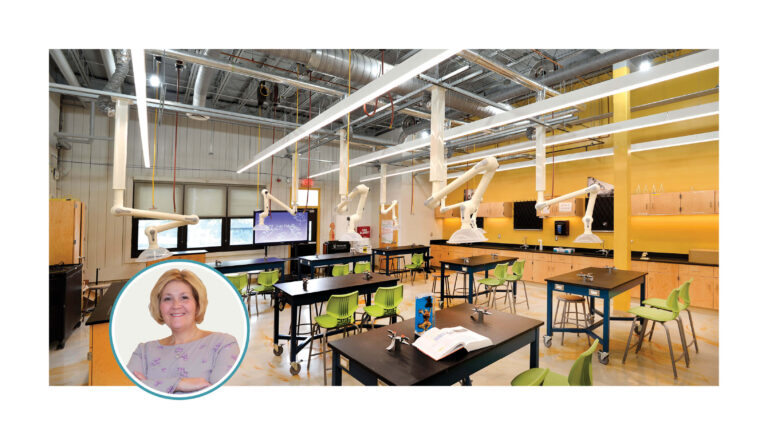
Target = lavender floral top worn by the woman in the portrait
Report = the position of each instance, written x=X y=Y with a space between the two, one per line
x=210 y=357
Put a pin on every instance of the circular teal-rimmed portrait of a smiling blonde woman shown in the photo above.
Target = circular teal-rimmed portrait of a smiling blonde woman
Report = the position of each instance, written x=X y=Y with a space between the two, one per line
x=179 y=329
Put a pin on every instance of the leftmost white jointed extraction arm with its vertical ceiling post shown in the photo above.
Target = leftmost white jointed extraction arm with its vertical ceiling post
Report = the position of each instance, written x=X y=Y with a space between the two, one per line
x=154 y=251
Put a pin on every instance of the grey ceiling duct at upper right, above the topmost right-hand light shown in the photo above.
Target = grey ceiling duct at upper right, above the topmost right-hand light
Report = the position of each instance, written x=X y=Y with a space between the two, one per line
x=584 y=64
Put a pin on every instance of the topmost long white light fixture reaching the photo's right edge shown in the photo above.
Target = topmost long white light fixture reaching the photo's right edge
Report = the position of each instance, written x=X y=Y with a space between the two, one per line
x=688 y=65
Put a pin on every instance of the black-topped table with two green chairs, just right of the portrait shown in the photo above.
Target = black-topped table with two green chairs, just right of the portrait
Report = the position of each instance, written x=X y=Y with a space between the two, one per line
x=318 y=290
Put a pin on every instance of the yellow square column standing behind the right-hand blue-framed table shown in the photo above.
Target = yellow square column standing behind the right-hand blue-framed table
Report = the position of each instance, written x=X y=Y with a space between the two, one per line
x=622 y=252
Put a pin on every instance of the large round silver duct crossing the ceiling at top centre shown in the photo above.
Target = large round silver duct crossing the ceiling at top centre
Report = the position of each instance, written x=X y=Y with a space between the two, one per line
x=366 y=69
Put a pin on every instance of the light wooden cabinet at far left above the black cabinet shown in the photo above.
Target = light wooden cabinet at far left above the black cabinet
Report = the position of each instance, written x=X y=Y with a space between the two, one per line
x=66 y=231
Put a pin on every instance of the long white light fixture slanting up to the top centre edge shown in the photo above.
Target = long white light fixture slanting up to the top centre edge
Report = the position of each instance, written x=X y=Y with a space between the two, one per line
x=391 y=79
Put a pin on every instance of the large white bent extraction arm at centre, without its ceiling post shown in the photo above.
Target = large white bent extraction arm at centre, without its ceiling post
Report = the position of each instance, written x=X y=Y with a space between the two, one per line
x=468 y=233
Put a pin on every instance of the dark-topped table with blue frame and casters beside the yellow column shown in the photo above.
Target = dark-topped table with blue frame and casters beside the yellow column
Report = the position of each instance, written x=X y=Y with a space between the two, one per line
x=607 y=283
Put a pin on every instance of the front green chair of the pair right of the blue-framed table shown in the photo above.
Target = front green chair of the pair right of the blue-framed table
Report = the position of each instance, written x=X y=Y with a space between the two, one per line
x=645 y=314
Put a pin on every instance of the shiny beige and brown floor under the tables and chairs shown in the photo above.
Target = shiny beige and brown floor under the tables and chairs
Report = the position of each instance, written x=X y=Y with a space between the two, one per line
x=650 y=367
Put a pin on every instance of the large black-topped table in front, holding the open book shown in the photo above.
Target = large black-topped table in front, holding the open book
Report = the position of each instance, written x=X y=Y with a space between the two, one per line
x=367 y=360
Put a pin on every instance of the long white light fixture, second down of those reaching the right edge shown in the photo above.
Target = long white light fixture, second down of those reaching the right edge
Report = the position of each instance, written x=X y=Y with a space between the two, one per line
x=679 y=115
